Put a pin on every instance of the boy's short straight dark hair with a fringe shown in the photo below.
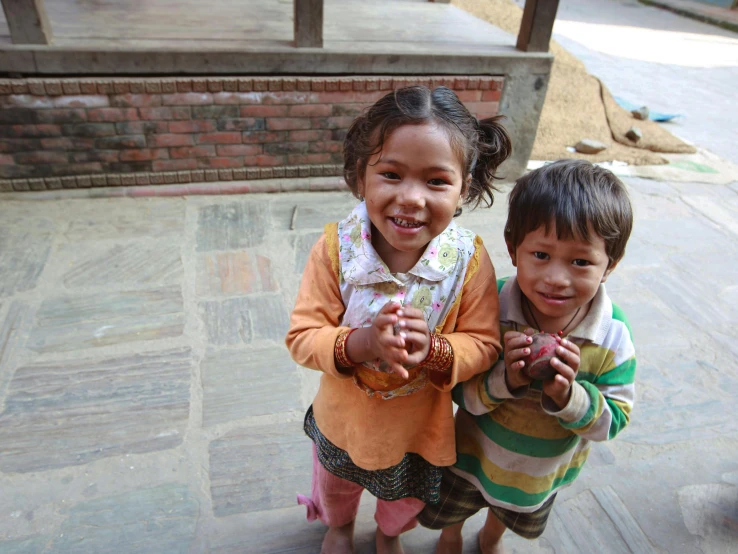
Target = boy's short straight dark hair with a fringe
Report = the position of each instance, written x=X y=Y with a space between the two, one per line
x=572 y=195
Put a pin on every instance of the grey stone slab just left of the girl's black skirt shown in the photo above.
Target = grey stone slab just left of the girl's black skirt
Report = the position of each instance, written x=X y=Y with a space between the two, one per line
x=259 y=468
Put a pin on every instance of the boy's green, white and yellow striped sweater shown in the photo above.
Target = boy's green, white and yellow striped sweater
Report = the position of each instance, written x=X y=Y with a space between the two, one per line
x=519 y=449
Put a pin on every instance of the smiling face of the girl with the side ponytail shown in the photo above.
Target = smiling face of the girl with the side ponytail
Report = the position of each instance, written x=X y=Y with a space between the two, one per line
x=412 y=189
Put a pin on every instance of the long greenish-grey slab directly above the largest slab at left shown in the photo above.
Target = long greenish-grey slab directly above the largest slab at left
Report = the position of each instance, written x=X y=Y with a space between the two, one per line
x=78 y=322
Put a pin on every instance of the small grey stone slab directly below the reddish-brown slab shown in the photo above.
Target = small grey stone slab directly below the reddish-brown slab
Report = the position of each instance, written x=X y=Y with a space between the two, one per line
x=244 y=320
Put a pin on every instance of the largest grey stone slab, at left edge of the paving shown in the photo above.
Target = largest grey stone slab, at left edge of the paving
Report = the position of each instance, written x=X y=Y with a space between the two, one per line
x=77 y=411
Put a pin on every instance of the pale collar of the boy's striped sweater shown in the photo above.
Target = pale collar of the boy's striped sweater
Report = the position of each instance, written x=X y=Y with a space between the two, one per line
x=594 y=327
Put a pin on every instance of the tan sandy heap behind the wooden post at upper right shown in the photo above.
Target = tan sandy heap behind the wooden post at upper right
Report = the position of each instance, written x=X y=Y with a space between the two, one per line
x=578 y=106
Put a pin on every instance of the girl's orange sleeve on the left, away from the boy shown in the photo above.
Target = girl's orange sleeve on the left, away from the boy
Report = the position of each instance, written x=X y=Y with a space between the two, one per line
x=314 y=323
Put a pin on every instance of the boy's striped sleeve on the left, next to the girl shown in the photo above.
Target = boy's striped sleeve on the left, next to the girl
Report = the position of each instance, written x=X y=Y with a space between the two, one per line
x=483 y=393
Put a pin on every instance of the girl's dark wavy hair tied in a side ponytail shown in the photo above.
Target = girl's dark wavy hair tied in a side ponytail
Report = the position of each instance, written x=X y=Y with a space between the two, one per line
x=481 y=145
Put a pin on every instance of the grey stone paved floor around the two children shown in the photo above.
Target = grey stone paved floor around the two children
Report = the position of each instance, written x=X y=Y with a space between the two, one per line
x=148 y=405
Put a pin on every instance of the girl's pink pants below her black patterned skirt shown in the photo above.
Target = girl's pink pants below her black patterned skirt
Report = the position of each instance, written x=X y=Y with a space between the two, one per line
x=335 y=502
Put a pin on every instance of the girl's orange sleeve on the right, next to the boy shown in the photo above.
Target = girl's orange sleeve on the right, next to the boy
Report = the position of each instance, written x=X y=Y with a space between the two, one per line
x=476 y=337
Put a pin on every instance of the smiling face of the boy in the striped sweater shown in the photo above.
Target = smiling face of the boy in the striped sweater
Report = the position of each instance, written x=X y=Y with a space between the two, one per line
x=559 y=276
